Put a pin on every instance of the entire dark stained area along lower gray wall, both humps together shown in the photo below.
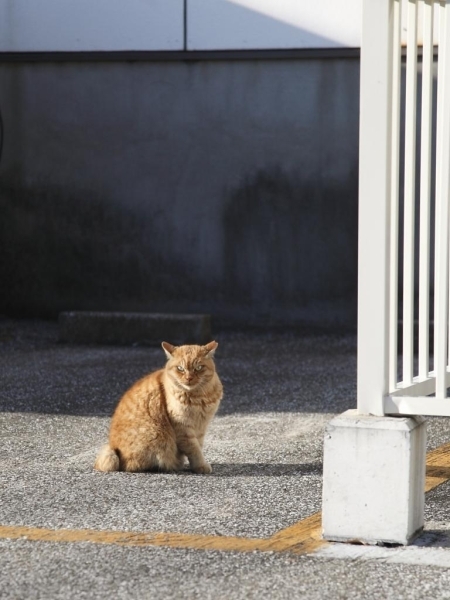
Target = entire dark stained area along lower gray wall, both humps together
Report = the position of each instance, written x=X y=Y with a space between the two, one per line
x=290 y=256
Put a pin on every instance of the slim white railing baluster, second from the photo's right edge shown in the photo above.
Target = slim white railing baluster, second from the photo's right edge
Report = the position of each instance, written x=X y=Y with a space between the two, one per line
x=425 y=189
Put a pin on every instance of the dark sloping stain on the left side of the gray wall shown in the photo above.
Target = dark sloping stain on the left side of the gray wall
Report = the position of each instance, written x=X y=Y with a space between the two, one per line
x=61 y=251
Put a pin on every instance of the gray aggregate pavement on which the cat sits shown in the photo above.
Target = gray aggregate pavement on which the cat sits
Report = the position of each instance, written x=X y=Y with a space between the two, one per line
x=265 y=446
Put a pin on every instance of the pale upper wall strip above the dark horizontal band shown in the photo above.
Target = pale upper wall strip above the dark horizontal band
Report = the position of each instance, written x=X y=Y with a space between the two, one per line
x=114 y=25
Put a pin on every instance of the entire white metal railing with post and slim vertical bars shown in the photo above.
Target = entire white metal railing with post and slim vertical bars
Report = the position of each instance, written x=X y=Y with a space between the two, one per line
x=404 y=208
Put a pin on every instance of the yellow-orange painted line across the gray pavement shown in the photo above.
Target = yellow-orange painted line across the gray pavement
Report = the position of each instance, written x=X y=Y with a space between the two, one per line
x=303 y=537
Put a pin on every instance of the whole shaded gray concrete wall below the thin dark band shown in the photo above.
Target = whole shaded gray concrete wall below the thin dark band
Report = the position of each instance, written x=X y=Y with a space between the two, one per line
x=227 y=187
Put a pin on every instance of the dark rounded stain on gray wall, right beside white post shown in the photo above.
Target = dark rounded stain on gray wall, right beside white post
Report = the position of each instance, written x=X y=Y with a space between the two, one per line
x=290 y=245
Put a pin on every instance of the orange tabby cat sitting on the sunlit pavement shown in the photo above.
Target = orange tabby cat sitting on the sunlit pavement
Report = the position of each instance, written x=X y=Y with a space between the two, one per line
x=163 y=417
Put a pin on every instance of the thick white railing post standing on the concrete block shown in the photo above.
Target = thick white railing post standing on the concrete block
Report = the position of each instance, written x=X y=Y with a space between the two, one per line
x=374 y=205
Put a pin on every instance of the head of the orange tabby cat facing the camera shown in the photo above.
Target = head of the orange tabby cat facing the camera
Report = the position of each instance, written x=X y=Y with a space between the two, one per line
x=190 y=366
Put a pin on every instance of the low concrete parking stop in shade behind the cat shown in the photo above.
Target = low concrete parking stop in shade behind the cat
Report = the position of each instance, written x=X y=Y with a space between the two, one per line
x=133 y=328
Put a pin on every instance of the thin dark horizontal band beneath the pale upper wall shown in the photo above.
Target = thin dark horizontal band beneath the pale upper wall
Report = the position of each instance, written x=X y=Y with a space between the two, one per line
x=182 y=55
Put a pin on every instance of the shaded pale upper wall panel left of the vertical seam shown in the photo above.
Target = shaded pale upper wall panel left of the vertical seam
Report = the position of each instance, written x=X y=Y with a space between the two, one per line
x=91 y=25
